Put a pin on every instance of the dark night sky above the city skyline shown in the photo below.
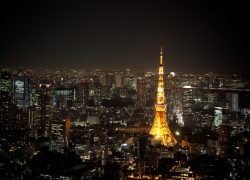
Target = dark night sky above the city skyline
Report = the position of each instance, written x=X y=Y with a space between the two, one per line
x=197 y=35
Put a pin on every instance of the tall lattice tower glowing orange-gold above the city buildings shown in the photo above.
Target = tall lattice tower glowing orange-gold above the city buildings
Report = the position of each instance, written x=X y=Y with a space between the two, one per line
x=160 y=129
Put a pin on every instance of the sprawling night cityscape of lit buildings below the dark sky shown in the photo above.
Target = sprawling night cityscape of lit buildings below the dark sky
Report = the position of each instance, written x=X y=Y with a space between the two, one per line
x=97 y=124
